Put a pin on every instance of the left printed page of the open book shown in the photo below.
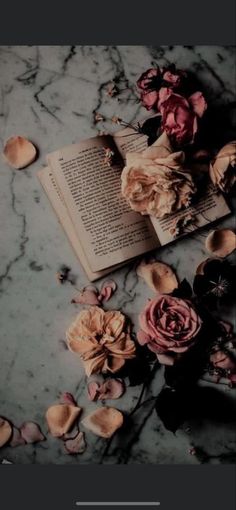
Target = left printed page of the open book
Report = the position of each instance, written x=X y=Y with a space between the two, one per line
x=110 y=231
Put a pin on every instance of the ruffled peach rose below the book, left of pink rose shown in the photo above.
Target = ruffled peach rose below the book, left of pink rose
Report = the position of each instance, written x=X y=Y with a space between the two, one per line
x=101 y=339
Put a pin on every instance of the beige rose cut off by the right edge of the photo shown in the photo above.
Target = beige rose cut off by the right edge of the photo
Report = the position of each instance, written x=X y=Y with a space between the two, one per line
x=223 y=168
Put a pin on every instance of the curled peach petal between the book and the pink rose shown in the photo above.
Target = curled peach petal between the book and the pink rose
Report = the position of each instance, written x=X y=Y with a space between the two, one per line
x=158 y=276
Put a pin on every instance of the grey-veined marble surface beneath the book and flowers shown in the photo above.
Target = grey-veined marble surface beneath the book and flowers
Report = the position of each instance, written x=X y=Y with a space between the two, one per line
x=49 y=94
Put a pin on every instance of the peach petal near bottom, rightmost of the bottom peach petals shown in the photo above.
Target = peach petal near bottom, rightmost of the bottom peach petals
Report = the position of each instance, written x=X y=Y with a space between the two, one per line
x=104 y=421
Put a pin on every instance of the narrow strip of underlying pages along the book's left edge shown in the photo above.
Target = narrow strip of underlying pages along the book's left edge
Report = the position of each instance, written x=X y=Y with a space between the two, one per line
x=53 y=192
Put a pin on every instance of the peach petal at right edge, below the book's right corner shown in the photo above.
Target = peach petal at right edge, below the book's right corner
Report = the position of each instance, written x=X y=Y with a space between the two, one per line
x=221 y=242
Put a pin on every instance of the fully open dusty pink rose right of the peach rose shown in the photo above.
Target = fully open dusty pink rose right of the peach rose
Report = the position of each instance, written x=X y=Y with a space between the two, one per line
x=169 y=326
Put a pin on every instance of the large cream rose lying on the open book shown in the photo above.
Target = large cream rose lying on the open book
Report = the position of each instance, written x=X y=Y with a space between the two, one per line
x=154 y=182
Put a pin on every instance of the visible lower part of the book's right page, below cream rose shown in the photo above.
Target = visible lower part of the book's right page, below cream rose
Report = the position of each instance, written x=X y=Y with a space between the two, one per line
x=209 y=207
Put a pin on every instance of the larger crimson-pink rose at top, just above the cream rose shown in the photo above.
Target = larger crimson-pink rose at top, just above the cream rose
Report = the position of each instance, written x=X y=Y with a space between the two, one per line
x=180 y=115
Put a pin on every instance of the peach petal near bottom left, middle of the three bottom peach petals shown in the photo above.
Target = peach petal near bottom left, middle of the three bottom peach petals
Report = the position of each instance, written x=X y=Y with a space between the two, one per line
x=60 y=418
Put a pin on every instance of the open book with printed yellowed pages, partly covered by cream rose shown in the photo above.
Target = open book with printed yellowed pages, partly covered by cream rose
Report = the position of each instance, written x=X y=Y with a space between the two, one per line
x=85 y=192
